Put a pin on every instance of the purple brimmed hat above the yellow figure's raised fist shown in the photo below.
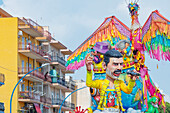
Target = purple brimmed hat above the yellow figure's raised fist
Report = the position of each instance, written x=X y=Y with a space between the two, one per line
x=101 y=47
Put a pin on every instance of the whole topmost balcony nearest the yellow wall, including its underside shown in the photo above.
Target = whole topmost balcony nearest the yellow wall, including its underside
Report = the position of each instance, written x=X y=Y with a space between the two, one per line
x=30 y=27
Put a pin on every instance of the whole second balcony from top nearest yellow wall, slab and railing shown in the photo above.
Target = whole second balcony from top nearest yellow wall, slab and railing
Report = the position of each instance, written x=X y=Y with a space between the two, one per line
x=34 y=52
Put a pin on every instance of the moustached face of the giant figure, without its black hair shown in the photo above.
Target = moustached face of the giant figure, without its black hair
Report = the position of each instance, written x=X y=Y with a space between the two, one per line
x=114 y=67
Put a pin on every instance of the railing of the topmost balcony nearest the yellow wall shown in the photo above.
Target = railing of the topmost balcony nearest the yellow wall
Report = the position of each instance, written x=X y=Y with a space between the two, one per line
x=32 y=24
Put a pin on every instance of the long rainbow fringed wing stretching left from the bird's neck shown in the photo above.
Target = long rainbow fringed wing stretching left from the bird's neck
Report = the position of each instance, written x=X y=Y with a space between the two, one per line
x=111 y=30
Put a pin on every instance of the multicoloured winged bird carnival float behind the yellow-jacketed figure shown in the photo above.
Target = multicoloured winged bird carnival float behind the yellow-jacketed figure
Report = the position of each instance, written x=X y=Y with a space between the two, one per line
x=152 y=39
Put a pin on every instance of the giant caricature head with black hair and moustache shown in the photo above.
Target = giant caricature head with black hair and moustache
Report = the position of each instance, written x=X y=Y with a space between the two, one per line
x=114 y=63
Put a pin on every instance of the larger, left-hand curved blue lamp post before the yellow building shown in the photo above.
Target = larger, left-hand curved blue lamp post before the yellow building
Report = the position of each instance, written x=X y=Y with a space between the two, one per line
x=21 y=80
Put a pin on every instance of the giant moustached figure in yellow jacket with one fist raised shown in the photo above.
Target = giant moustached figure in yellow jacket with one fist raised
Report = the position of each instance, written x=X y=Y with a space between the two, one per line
x=111 y=85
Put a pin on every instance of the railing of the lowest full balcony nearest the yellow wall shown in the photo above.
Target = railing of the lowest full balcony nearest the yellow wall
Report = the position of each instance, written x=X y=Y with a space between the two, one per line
x=29 y=95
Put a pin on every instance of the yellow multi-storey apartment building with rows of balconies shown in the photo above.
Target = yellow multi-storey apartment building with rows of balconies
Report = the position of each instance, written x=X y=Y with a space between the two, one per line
x=24 y=46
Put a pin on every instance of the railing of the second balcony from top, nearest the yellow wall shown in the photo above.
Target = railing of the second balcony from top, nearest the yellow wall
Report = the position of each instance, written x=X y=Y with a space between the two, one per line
x=36 y=49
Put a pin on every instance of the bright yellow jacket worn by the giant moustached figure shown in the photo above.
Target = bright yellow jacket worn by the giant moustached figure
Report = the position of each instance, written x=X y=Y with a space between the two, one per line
x=103 y=85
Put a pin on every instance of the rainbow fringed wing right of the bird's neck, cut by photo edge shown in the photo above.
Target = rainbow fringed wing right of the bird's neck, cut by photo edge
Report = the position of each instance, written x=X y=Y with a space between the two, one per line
x=156 y=36
